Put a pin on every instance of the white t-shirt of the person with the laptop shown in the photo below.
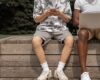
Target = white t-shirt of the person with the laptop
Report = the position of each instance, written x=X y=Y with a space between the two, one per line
x=87 y=5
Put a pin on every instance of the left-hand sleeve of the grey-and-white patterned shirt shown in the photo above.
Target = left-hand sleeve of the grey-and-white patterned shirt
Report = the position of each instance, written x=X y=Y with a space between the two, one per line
x=37 y=10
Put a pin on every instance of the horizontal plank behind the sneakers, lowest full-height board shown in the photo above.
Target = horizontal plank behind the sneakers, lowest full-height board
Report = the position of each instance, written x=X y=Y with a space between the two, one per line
x=31 y=72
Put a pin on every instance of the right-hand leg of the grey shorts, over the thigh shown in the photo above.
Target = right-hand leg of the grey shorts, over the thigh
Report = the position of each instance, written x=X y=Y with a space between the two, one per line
x=62 y=35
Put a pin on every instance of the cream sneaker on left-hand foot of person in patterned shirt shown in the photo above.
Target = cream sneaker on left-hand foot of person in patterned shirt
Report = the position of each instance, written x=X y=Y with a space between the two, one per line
x=45 y=75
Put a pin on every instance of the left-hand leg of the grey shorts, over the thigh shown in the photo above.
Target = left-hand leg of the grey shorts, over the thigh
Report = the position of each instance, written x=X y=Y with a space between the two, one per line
x=44 y=35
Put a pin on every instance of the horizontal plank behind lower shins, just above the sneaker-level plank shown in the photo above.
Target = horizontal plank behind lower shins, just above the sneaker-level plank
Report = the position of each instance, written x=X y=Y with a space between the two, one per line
x=31 y=60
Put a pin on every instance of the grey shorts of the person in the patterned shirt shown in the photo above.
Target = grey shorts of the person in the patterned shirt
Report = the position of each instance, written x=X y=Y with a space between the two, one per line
x=47 y=36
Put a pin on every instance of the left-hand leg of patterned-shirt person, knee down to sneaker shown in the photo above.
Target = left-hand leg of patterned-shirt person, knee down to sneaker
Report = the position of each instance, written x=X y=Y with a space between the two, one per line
x=37 y=45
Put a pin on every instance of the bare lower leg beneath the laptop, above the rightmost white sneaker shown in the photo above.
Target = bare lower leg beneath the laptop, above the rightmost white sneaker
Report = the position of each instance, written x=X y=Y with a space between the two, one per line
x=82 y=48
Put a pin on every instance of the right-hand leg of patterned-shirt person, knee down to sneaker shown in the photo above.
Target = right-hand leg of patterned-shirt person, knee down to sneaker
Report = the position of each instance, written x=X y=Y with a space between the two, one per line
x=68 y=43
